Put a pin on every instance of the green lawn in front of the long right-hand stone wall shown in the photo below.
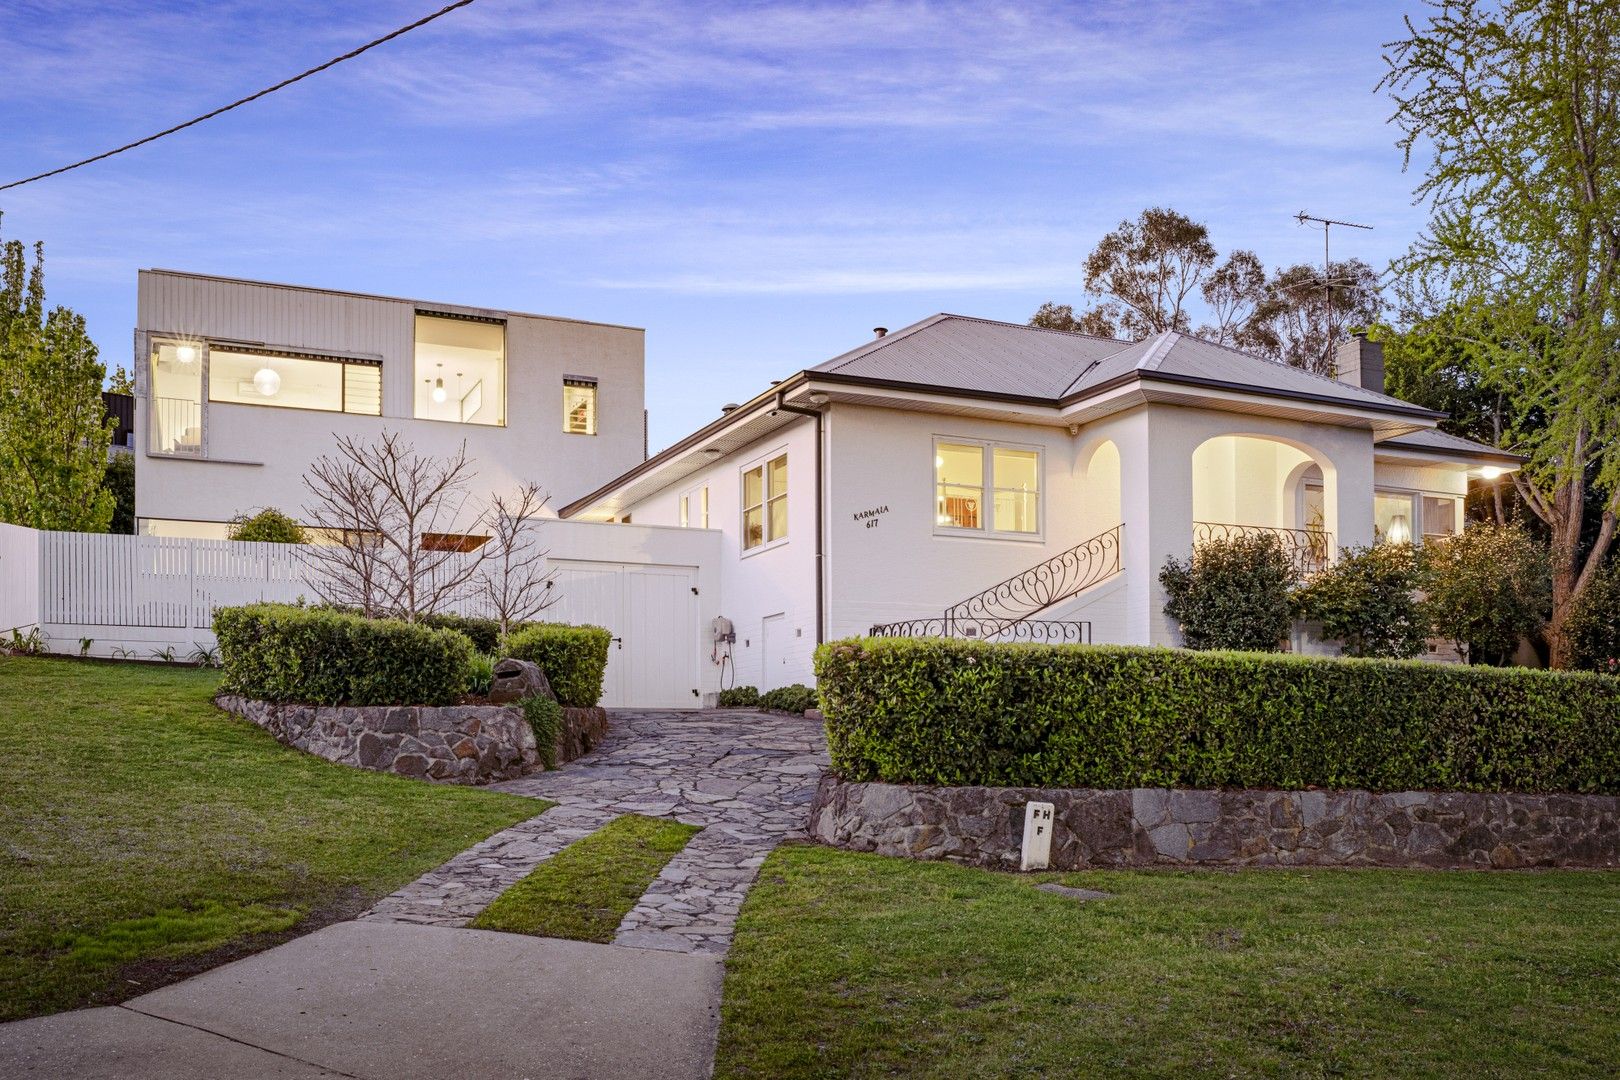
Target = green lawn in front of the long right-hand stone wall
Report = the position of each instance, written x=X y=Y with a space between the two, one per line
x=859 y=966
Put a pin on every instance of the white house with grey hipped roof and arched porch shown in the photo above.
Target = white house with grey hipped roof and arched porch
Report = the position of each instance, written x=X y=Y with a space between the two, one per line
x=997 y=480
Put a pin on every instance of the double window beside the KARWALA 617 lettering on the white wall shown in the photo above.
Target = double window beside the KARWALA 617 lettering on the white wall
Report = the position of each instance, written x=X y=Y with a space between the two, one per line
x=986 y=488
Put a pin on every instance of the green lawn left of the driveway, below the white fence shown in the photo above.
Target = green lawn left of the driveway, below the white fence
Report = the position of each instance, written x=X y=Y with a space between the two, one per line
x=147 y=835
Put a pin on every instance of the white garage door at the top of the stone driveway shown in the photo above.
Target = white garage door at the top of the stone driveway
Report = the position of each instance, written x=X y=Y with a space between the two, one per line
x=652 y=614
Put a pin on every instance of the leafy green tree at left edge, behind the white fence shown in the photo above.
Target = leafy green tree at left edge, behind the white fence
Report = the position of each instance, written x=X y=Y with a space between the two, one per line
x=54 y=428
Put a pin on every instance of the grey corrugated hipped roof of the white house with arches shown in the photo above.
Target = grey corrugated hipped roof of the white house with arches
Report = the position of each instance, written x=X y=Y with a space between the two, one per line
x=1008 y=359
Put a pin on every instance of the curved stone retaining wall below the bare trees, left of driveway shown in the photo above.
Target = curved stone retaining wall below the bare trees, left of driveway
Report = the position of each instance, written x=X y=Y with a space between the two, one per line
x=463 y=744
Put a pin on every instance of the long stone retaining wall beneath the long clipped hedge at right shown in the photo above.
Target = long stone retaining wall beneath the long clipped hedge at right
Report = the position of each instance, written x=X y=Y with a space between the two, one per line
x=1146 y=827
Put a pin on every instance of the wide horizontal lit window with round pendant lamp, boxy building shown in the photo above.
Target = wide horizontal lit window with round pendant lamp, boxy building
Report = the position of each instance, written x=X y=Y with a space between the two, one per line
x=291 y=381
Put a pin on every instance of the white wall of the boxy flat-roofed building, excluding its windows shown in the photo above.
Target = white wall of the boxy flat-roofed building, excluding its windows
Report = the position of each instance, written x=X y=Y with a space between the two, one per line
x=257 y=456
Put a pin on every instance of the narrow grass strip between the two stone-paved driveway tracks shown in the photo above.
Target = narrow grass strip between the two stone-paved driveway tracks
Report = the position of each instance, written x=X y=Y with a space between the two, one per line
x=586 y=890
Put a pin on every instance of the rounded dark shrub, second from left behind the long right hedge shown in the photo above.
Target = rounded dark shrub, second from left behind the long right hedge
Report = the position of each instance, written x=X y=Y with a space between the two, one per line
x=1370 y=603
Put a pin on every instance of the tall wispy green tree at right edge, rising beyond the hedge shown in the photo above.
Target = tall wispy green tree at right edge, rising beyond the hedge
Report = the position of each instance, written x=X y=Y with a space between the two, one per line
x=1516 y=108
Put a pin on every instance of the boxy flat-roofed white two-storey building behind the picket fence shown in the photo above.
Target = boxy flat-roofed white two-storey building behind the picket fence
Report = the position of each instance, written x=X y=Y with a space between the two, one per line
x=244 y=385
